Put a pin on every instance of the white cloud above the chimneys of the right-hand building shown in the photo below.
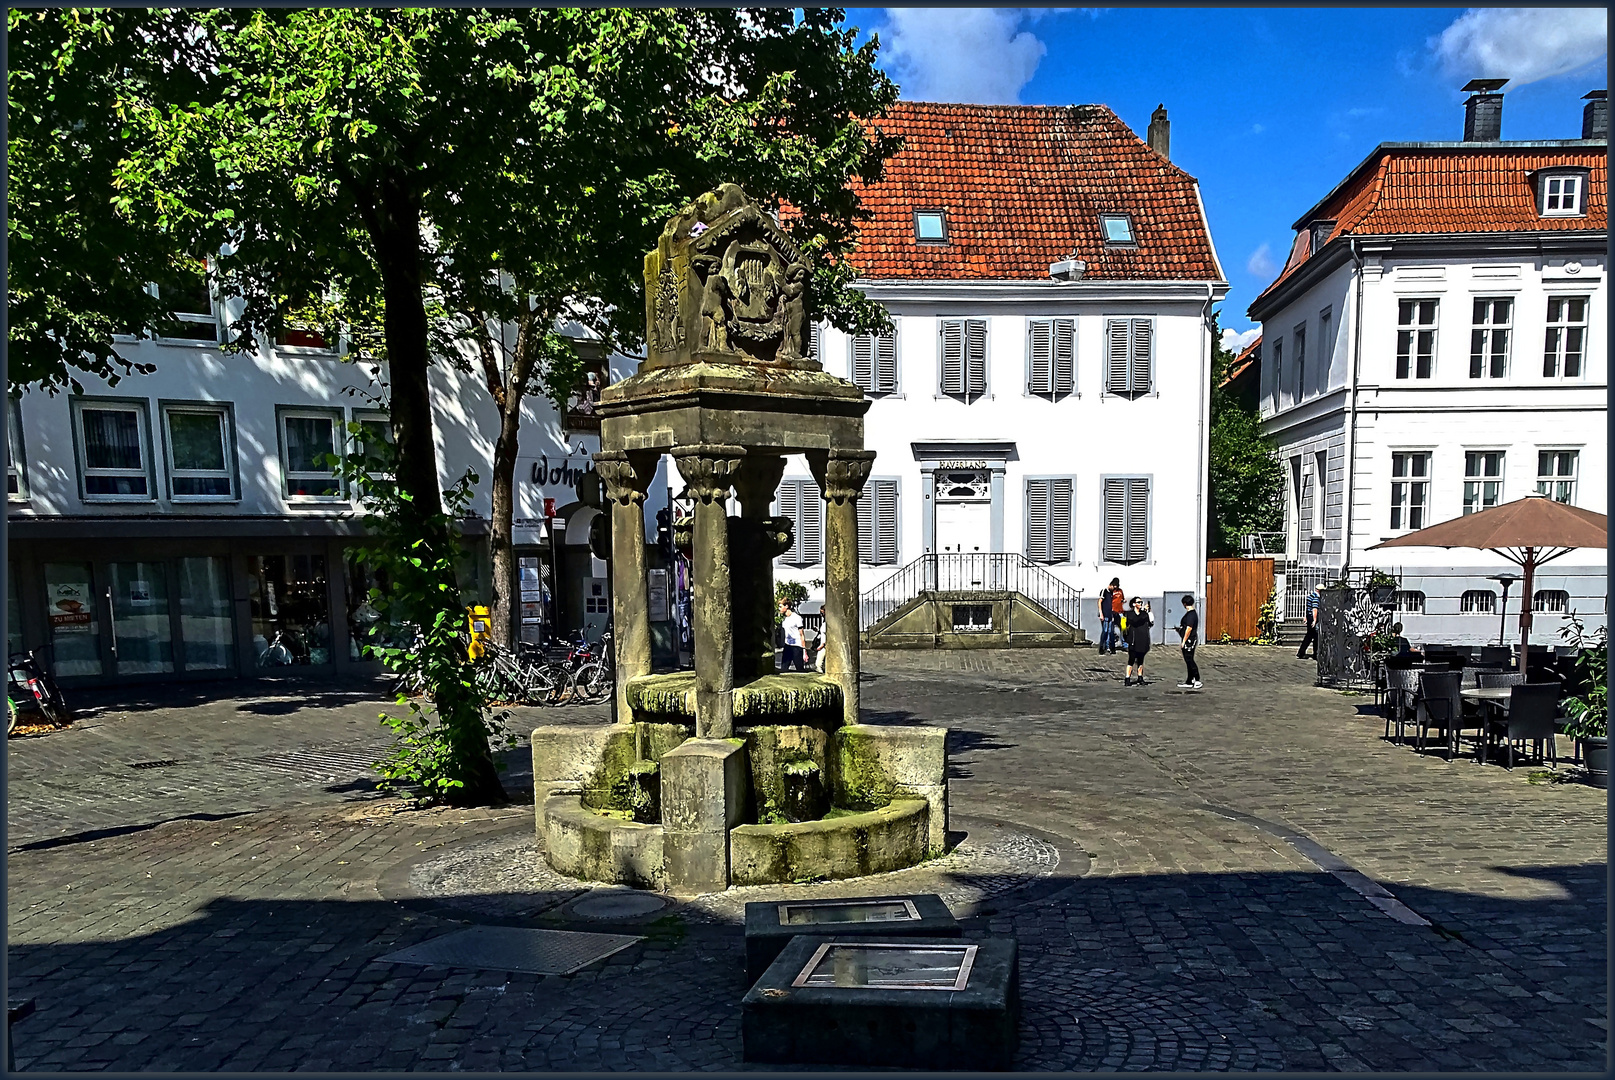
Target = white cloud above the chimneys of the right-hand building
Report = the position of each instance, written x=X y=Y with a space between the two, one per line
x=1522 y=44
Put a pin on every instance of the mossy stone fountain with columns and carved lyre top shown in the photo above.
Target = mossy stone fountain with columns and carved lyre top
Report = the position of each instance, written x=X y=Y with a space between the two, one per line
x=734 y=774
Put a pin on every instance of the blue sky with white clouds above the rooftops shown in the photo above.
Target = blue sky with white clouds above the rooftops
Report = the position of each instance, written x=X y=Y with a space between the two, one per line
x=1270 y=107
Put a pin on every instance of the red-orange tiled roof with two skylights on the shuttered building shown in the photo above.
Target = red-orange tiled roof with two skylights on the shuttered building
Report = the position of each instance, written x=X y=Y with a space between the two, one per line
x=1023 y=188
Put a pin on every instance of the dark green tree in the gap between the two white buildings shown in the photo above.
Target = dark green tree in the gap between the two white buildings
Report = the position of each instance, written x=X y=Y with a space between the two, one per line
x=1246 y=477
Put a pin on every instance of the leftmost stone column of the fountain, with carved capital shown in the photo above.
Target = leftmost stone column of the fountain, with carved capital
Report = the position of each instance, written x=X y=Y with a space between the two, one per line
x=627 y=477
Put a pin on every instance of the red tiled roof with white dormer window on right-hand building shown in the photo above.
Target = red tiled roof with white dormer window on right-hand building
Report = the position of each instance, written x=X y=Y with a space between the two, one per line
x=1427 y=190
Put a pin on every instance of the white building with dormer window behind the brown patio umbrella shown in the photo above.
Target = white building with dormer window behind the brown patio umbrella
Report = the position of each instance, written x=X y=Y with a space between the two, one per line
x=1437 y=345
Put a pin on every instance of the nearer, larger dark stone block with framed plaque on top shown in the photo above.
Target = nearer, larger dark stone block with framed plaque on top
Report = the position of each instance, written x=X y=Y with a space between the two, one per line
x=921 y=1024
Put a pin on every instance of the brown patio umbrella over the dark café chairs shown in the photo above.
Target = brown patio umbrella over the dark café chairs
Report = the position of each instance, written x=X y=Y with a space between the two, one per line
x=1529 y=534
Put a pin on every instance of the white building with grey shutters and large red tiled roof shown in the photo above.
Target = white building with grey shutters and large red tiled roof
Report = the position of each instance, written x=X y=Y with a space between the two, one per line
x=1015 y=412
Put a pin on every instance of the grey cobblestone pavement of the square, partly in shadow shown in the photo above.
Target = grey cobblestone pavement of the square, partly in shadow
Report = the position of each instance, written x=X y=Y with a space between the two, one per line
x=1248 y=879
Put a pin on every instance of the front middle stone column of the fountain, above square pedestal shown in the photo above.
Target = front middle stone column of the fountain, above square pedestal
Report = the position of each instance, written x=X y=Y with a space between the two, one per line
x=710 y=472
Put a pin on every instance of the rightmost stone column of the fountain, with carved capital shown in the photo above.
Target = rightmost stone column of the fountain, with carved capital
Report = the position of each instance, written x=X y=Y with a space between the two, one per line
x=842 y=477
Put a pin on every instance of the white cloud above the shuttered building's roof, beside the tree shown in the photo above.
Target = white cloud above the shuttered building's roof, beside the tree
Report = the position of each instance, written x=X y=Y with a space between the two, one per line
x=976 y=56
